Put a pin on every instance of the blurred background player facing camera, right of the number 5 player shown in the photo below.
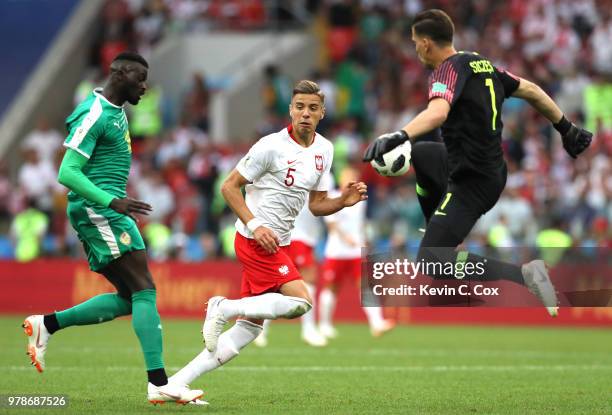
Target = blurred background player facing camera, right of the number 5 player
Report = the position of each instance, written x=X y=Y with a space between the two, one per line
x=345 y=239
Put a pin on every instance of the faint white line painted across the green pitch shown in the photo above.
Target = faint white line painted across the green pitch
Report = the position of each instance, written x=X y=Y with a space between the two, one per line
x=438 y=368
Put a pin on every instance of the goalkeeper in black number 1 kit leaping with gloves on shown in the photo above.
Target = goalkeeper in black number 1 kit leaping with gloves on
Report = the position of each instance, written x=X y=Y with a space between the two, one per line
x=461 y=179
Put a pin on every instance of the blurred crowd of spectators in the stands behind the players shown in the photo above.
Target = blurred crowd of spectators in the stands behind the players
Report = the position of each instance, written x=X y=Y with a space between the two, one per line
x=373 y=84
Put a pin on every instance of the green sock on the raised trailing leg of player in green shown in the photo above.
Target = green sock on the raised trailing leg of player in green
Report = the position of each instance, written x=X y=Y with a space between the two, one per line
x=98 y=309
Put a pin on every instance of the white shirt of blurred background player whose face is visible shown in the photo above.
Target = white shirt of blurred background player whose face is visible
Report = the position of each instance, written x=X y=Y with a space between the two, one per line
x=351 y=222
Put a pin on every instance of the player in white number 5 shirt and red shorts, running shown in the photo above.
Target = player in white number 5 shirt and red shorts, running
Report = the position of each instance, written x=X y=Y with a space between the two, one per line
x=280 y=172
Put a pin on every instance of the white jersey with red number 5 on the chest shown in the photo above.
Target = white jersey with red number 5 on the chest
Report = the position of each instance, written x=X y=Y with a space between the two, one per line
x=282 y=173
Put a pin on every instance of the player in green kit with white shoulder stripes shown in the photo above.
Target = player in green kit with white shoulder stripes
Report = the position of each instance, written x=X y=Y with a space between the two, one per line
x=95 y=168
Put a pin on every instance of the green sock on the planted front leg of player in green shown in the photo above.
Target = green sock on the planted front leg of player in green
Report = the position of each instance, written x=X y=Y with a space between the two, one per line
x=147 y=325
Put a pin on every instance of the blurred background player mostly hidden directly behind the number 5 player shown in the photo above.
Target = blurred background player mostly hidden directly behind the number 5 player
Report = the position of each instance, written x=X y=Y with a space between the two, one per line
x=304 y=237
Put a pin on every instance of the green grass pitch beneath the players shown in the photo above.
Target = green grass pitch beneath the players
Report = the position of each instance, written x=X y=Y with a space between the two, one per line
x=412 y=370
